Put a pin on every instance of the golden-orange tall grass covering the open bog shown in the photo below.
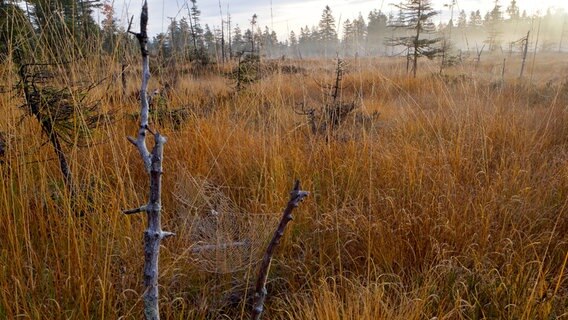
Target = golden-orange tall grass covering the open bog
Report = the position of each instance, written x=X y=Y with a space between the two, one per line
x=451 y=204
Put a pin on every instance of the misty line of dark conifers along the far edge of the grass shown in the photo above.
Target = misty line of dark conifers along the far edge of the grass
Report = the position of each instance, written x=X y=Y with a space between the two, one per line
x=28 y=25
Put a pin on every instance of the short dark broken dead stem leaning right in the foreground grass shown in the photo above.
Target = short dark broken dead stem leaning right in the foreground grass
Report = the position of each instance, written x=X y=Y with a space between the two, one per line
x=296 y=196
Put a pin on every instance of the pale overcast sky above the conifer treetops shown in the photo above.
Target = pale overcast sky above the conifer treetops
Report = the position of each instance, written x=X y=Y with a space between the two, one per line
x=286 y=15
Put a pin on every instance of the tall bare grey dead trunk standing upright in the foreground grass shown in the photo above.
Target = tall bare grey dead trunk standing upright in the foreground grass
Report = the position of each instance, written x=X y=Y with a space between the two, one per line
x=153 y=164
